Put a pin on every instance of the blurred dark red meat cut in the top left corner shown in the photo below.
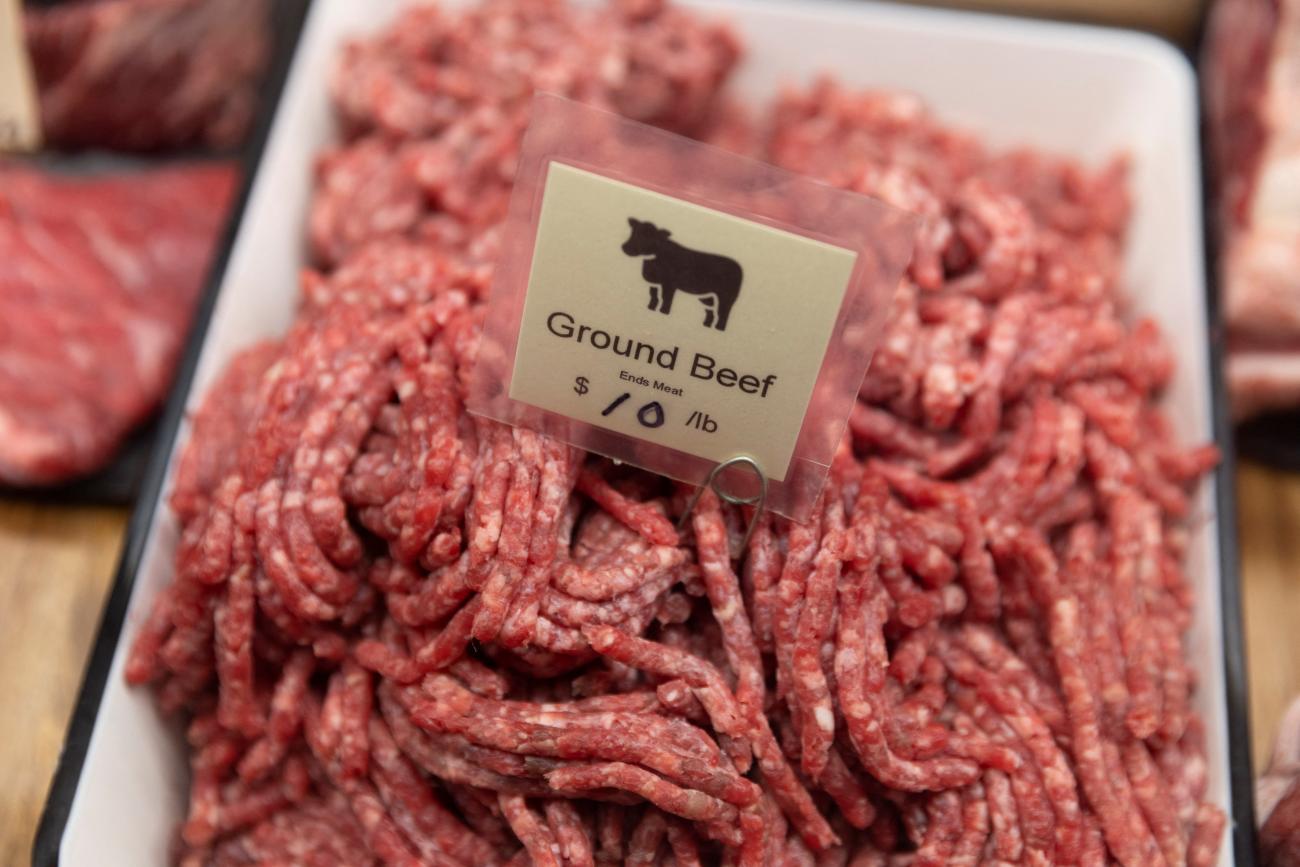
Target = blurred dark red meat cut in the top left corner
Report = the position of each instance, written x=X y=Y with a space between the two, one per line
x=148 y=75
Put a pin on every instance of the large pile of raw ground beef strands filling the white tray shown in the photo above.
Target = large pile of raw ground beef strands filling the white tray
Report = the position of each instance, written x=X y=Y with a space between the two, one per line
x=404 y=635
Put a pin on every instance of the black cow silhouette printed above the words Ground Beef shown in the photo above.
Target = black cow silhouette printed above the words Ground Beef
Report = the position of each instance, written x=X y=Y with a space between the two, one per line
x=673 y=268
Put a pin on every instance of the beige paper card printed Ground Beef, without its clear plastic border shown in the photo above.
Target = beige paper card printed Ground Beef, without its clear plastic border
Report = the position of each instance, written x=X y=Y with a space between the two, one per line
x=673 y=323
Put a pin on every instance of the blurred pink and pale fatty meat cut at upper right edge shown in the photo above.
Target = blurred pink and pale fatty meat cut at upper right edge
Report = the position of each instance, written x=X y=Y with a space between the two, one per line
x=1253 y=94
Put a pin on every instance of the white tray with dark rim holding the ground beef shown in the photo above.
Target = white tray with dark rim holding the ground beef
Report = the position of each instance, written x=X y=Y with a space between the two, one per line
x=1074 y=90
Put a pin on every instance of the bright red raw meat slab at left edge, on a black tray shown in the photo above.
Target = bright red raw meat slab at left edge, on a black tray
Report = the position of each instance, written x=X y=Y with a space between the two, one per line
x=98 y=281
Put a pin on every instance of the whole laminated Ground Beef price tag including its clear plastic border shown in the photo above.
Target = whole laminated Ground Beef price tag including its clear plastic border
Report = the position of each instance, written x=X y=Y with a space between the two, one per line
x=678 y=307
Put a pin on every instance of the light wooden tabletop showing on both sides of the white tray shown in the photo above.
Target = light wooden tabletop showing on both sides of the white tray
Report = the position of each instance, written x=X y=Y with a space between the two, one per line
x=57 y=565
